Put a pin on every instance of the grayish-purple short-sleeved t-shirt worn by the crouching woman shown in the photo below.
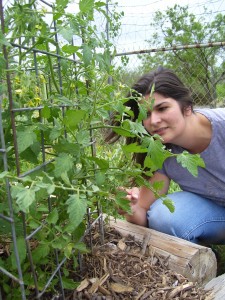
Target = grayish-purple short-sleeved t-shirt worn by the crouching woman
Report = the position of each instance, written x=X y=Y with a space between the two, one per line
x=210 y=181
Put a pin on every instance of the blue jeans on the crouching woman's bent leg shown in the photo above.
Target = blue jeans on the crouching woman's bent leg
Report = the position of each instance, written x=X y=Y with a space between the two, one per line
x=196 y=219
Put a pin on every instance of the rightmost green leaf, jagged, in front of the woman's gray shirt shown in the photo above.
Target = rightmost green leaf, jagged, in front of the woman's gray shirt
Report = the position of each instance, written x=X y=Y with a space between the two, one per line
x=191 y=162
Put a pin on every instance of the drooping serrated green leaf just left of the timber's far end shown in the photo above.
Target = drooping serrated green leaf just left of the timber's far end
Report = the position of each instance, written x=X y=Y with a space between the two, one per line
x=77 y=206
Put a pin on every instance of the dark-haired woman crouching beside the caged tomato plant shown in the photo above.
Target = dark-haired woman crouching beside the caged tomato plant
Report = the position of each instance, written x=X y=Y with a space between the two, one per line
x=199 y=214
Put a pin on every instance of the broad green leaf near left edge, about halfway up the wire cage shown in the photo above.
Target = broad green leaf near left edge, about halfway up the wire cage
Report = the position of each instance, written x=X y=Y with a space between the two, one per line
x=25 y=138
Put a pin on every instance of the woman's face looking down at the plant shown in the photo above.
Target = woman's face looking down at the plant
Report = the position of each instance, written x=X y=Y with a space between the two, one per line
x=166 y=119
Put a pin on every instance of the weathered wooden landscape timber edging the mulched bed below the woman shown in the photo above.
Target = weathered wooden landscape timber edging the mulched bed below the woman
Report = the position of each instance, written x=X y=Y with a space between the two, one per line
x=195 y=262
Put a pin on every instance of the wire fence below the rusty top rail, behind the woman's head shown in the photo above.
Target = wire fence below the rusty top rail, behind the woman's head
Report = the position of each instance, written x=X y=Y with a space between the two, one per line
x=206 y=82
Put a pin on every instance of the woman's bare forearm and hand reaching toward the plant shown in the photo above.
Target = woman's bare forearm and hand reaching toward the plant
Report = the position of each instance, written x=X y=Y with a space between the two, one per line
x=141 y=199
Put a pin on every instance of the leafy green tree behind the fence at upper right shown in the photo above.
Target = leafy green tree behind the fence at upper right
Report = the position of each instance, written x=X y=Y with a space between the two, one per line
x=201 y=68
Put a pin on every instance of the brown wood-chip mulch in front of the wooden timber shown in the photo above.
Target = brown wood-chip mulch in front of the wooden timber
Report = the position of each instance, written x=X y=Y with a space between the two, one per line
x=122 y=268
